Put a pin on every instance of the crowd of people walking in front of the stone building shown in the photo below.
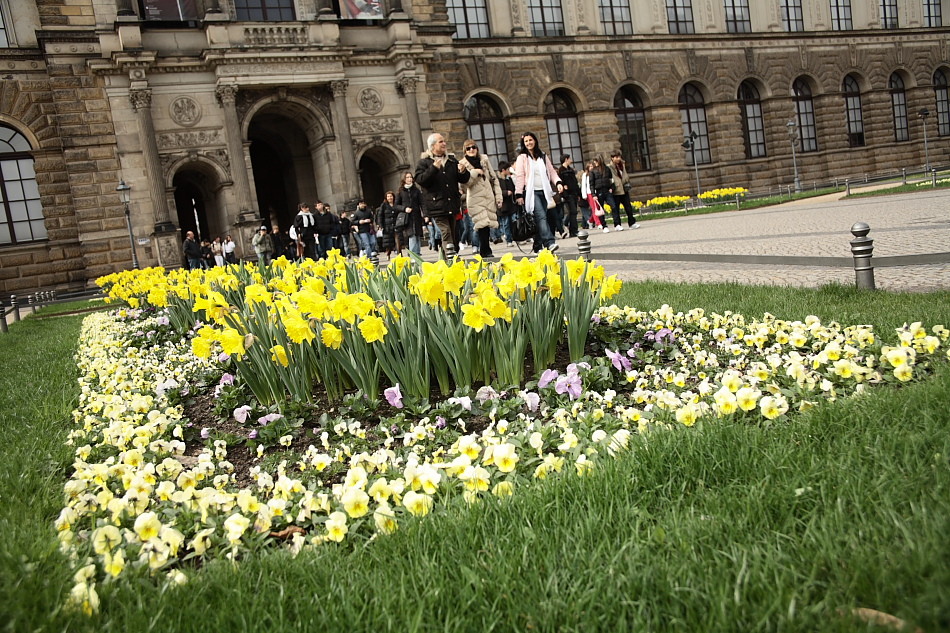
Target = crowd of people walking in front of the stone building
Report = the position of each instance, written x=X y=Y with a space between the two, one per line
x=456 y=201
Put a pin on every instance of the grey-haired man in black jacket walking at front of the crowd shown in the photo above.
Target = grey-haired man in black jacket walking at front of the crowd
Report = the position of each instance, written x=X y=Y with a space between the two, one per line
x=439 y=174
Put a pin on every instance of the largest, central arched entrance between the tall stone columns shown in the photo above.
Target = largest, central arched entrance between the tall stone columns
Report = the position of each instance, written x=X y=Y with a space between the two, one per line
x=289 y=158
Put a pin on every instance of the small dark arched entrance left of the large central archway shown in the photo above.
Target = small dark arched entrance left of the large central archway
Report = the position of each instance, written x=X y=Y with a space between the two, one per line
x=197 y=200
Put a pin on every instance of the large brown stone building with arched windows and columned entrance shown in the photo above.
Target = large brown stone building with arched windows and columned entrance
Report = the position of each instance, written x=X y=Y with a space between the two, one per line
x=222 y=115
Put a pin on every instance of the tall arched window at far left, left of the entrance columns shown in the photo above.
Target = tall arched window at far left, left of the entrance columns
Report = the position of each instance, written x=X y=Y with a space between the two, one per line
x=22 y=217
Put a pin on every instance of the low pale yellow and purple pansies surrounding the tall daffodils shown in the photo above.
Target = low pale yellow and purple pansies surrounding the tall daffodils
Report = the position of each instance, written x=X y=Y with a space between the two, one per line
x=152 y=491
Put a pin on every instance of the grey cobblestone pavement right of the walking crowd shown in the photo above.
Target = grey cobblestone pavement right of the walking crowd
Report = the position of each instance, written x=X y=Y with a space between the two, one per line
x=902 y=224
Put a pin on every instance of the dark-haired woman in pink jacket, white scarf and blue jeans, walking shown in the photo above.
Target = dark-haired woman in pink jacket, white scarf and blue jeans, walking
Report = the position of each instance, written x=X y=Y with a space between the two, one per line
x=535 y=181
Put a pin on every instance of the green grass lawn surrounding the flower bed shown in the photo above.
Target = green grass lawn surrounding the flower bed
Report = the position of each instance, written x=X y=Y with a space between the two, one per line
x=722 y=527
